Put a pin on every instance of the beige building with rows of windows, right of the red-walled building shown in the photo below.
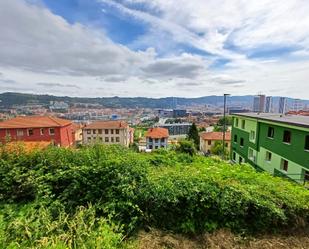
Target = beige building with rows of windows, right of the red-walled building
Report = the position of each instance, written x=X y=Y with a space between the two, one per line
x=108 y=132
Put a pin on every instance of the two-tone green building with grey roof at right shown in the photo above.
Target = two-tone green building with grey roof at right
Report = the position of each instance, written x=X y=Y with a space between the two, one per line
x=275 y=143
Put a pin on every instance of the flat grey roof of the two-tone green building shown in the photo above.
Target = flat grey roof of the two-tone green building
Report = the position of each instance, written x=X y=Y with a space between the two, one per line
x=296 y=120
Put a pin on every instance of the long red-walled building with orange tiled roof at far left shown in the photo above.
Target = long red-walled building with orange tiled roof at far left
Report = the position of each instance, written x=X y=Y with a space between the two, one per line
x=38 y=128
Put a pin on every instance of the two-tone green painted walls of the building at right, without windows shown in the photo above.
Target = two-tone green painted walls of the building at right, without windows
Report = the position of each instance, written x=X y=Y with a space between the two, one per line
x=294 y=152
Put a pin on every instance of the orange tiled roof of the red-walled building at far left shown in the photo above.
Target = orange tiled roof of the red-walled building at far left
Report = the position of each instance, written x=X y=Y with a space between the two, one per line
x=34 y=122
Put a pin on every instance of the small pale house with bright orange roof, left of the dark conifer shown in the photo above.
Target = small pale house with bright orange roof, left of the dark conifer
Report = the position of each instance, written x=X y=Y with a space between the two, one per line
x=156 y=138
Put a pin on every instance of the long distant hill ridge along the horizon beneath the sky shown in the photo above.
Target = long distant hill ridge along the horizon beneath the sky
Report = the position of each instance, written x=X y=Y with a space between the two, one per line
x=9 y=99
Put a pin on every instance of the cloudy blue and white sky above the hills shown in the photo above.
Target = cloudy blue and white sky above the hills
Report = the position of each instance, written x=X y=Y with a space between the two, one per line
x=155 y=48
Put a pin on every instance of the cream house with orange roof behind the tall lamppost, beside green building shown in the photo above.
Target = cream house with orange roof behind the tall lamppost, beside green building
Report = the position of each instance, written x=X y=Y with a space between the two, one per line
x=209 y=139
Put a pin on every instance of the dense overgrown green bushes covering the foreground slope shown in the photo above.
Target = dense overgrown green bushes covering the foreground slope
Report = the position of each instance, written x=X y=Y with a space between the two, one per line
x=95 y=196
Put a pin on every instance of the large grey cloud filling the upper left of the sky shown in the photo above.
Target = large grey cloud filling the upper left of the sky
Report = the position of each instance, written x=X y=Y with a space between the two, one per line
x=35 y=39
